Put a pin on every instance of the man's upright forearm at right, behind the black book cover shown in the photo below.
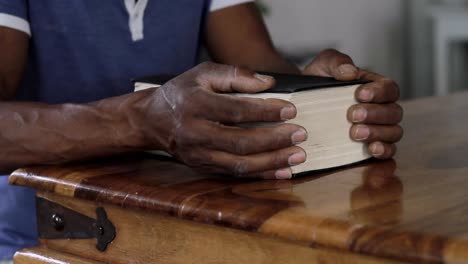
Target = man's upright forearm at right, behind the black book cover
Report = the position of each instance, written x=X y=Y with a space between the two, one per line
x=238 y=36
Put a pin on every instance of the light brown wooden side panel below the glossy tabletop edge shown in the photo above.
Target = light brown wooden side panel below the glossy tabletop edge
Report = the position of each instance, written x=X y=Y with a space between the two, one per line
x=145 y=237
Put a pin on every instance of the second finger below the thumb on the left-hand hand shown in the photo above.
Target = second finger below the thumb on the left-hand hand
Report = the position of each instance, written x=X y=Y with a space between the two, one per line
x=244 y=141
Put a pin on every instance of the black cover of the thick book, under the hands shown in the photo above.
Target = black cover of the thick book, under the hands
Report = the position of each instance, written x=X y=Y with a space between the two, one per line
x=285 y=83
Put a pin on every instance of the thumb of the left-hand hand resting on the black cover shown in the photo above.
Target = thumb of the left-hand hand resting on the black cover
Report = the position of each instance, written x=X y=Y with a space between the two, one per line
x=227 y=79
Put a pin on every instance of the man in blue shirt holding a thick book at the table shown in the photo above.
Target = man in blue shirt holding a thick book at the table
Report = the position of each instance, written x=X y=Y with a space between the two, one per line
x=65 y=71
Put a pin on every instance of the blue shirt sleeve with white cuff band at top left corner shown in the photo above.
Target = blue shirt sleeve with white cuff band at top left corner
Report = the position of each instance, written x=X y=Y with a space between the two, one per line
x=14 y=14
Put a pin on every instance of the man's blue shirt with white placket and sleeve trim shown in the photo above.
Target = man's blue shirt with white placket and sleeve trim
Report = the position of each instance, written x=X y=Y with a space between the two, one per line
x=86 y=50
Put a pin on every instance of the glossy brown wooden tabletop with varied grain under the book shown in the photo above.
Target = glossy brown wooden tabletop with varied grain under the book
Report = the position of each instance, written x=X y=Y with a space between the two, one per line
x=414 y=208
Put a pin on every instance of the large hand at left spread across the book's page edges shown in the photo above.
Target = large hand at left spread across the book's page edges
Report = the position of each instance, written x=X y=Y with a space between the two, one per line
x=193 y=118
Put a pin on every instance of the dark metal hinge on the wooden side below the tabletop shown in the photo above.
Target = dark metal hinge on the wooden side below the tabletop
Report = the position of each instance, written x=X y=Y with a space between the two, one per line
x=57 y=222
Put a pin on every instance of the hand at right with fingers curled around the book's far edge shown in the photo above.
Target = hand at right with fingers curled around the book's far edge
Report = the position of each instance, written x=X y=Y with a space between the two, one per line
x=376 y=117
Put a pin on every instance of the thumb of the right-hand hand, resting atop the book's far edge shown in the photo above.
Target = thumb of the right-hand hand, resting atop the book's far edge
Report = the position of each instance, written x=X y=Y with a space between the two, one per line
x=332 y=63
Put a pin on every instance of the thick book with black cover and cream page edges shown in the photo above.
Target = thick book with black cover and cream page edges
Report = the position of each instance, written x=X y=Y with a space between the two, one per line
x=322 y=105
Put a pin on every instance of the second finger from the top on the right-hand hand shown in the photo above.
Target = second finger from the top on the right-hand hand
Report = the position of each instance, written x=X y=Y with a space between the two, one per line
x=377 y=114
